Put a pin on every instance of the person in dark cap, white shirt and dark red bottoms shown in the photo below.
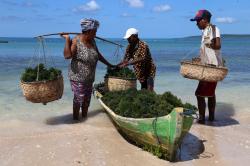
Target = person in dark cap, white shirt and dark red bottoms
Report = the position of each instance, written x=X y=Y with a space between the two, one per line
x=209 y=54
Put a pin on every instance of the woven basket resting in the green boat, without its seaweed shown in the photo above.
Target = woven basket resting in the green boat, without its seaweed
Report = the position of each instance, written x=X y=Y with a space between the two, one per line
x=118 y=84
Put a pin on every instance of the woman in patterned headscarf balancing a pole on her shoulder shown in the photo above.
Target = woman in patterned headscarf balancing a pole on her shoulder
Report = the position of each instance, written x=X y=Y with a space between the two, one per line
x=84 y=54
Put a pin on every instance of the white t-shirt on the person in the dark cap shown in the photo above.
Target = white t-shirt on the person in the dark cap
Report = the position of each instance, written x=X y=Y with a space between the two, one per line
x=209 y=55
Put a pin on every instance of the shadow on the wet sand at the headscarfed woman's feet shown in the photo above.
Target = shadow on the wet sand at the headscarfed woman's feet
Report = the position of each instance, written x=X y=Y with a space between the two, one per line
x=68 y=118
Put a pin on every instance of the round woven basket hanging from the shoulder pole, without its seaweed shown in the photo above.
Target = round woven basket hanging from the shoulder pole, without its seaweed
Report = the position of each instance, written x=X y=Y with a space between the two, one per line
x=43 y=91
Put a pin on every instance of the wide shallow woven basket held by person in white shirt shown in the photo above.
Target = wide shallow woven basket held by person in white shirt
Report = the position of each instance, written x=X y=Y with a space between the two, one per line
x=202 y=72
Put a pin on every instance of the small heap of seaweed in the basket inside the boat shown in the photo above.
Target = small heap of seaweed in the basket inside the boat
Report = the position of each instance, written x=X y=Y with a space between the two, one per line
x=125 y=73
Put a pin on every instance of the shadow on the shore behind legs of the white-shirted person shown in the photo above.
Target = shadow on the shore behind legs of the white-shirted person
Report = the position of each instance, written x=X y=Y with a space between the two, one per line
x=223 y=116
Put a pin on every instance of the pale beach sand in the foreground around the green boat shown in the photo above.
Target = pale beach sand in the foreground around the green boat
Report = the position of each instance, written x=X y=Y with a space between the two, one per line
x=58 y=140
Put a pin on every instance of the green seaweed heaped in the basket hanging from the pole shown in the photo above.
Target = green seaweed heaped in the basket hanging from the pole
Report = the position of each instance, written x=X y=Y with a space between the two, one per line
x=44 y=74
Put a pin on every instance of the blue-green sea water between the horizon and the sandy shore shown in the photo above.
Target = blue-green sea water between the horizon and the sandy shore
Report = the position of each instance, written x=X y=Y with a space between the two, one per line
x=20 y=53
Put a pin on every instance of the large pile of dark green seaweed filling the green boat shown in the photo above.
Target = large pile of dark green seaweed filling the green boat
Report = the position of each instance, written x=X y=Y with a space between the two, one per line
x=143 y=103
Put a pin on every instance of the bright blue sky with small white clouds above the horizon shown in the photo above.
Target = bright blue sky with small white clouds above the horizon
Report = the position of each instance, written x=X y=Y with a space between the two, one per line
x=153 y=18
